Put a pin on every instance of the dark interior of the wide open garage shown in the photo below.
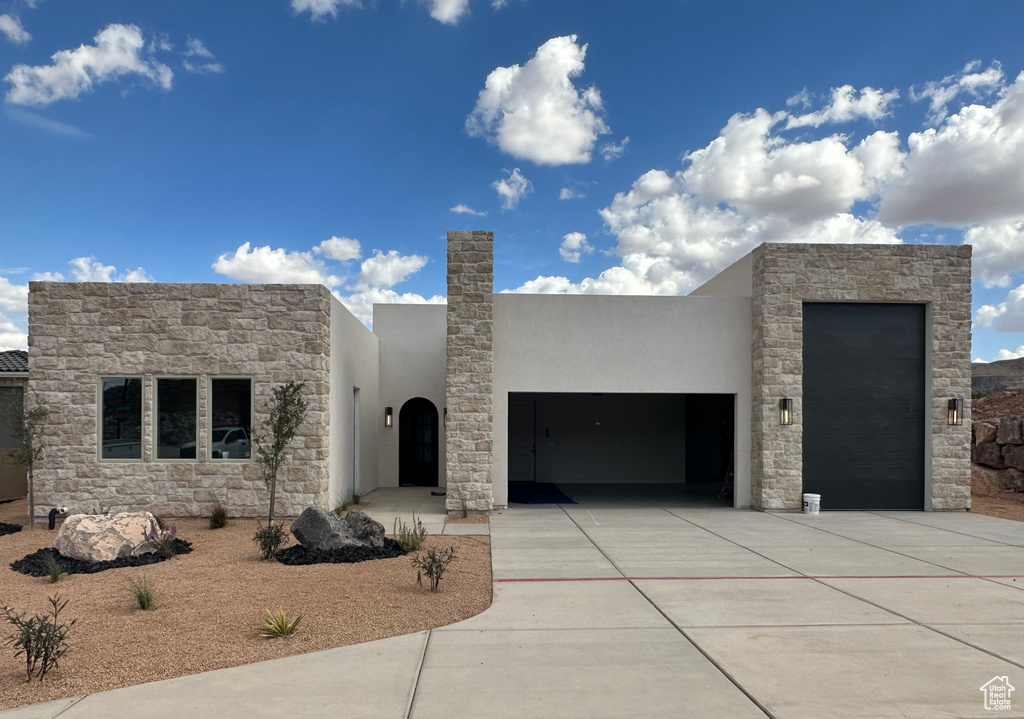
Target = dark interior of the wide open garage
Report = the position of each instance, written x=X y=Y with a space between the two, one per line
x=623 y=446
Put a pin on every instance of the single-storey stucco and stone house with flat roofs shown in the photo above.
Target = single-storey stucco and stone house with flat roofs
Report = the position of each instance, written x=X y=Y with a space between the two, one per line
x=837 y=369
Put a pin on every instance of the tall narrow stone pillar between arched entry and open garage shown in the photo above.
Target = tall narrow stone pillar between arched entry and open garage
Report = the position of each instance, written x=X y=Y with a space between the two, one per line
x=470 y=375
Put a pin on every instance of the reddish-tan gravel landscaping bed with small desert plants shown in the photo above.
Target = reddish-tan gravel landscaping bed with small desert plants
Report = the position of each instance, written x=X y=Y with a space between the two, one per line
x=207 y=606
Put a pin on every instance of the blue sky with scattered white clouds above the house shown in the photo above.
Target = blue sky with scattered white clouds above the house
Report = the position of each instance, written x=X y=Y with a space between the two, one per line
x=613 y=148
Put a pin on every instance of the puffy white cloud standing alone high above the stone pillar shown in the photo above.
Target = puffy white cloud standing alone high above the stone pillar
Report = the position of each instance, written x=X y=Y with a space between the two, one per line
x=536 y=113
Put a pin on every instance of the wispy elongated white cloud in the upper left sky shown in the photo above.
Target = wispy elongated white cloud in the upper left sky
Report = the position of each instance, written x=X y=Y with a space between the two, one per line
x=118 y=53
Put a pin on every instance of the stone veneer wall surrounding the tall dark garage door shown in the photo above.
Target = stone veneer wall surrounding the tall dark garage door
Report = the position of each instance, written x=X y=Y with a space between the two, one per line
x=785 y=277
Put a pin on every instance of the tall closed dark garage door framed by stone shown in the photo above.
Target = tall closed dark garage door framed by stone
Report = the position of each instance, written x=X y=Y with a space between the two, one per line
x=864 y=406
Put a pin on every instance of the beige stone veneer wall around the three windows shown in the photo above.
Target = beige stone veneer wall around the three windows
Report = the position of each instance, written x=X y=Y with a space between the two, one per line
x=81 y=331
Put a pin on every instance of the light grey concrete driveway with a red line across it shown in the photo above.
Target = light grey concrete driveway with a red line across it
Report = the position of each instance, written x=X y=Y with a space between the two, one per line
x=659 y=609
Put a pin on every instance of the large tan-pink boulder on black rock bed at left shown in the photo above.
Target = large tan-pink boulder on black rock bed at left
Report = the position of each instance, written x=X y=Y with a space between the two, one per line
x=106 y=537
